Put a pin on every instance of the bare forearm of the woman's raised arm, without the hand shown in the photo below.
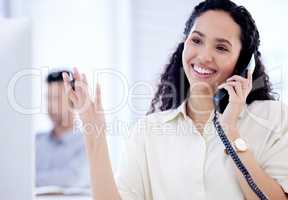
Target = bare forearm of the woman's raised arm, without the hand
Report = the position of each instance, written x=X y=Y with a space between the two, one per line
x=102 y=180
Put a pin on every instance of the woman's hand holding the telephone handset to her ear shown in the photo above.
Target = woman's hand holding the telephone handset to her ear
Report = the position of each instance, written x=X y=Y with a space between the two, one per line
x=238 y=89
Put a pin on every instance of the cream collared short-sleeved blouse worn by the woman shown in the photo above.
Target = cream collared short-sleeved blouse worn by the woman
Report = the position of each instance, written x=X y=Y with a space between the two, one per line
x=167 y=159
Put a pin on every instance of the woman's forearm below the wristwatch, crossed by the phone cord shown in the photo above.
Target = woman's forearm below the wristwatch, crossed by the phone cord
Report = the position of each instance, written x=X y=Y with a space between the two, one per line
x=268 y=185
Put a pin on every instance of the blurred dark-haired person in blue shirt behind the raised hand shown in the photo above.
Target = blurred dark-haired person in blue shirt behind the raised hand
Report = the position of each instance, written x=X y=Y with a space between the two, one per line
x=60 y=152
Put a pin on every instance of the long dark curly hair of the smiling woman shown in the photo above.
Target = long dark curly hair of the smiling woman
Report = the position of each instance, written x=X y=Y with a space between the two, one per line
x=174 y=86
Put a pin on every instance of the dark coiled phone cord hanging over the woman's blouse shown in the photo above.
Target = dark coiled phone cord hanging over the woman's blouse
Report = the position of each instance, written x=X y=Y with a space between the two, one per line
x=236 y=158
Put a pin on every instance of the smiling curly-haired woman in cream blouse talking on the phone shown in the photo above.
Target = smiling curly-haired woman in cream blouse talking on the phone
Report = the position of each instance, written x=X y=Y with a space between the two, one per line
x=176 y=153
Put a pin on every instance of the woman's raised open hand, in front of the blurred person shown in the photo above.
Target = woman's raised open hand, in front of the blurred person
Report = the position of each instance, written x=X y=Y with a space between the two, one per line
x=90 y=111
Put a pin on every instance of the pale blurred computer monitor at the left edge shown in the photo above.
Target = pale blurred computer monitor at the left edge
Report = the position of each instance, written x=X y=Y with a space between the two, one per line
x=16 y=138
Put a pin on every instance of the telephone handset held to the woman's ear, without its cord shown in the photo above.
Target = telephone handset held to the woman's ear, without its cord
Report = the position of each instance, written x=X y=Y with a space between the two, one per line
x=222 y=94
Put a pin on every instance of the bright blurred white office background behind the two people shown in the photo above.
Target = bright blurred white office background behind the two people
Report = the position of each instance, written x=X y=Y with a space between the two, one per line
x=128 y=42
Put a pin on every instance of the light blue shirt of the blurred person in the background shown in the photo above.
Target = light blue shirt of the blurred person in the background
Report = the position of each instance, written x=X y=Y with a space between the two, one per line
x=61 y=162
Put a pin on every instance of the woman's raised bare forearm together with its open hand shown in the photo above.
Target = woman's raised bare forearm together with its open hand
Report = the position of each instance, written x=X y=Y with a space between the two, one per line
x=92 y=115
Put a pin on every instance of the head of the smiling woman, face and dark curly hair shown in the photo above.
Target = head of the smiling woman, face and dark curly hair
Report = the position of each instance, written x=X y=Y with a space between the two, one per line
x=227 y=38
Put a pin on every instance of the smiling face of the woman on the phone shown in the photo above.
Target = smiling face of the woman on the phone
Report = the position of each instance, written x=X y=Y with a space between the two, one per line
x=211 y=50
